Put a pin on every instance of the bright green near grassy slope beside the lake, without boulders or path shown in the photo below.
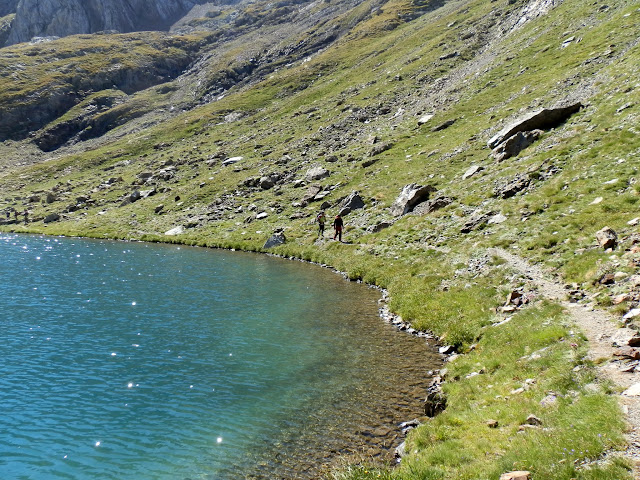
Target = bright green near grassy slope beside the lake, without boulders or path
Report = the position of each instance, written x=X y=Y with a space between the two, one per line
x=438 y=278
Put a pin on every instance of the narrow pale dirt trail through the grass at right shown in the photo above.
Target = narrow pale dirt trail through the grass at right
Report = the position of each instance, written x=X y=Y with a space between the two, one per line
x=600 y=328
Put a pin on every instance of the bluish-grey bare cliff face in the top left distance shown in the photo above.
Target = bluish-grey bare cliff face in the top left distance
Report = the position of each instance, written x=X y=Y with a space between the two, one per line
x=39 y=18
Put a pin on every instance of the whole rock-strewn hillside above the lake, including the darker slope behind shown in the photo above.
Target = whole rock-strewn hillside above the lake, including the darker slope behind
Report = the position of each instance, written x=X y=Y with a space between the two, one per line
x=441 y=131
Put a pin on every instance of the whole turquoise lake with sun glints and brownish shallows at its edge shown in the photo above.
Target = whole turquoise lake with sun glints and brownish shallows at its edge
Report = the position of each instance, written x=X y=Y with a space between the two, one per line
x=146 y=361
